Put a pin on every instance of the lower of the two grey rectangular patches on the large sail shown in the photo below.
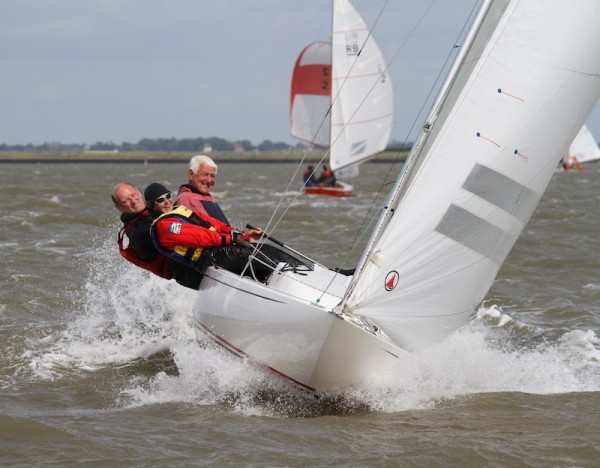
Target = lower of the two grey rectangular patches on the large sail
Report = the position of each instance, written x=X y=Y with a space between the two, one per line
x=475 y=233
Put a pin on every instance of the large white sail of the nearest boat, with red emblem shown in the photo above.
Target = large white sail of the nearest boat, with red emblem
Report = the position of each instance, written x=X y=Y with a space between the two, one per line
x=524 y=88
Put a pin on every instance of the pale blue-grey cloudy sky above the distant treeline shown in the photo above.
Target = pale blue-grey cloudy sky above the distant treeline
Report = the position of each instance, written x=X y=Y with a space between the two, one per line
x=83 y=71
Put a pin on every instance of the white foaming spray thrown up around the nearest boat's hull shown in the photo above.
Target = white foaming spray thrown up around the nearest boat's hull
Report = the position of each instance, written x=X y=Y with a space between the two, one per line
x=127 y=318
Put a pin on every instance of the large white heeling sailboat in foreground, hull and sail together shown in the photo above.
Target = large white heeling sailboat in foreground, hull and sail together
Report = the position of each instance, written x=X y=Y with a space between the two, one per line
x=521 y=88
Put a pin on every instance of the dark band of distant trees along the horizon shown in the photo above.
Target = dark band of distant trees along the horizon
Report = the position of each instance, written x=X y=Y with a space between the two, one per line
x=174 y=145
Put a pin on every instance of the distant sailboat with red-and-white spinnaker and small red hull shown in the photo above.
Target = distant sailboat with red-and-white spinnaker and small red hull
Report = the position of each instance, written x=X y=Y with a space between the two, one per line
x=341 y=97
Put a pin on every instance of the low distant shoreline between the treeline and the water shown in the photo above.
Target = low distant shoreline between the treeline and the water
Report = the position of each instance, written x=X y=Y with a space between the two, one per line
x=170 y=158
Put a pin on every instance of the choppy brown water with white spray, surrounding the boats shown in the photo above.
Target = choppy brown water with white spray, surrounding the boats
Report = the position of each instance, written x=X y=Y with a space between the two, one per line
x=100 y=366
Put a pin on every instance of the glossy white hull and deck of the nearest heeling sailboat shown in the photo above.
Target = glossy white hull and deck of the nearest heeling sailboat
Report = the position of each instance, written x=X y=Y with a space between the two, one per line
x=303 y=341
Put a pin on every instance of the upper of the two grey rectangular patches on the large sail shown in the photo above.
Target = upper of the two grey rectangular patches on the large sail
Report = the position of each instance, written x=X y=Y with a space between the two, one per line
x=502 y=192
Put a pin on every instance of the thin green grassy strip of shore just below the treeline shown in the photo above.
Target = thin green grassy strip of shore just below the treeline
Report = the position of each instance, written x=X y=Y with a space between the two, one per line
x=311 y=156
